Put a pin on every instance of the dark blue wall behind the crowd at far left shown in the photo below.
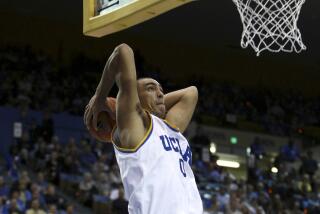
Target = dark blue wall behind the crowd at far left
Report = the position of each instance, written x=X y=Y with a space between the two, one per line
x=65 y=126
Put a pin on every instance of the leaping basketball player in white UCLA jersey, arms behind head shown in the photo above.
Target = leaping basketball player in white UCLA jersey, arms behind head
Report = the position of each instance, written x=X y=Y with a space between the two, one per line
x=153 y=156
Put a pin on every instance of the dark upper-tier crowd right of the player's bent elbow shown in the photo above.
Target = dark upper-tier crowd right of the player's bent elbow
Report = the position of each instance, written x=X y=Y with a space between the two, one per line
x=278 y=113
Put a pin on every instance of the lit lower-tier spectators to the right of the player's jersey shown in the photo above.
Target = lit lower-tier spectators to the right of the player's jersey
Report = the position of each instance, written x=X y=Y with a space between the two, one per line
x=293 y=188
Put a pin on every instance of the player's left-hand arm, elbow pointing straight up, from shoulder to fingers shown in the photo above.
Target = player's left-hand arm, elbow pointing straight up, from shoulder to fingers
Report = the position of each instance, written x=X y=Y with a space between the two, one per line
x=120 y=68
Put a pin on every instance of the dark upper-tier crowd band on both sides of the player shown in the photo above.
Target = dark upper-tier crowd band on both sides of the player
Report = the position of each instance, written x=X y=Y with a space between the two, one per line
x=35 y=81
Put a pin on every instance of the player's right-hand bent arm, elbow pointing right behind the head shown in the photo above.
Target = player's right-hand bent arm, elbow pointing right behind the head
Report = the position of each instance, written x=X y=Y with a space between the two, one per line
x=181 y=105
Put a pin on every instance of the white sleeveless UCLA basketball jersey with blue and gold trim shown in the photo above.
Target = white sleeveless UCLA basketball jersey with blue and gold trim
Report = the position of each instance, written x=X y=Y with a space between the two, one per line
x=157 y=174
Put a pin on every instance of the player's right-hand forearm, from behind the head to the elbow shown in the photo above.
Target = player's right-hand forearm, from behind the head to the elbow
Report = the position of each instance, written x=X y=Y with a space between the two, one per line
x=174 y=97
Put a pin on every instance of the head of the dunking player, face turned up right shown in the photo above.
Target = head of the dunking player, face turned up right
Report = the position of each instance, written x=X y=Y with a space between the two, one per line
x=151 y=96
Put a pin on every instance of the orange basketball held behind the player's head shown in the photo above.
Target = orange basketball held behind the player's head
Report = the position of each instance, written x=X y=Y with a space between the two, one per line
x=105 y=122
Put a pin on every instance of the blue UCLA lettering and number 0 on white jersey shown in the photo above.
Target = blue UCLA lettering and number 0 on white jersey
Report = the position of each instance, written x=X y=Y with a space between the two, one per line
x=173 y=144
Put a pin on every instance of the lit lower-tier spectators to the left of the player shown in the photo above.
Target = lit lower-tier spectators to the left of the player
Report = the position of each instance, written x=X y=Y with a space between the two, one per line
x=39 y=163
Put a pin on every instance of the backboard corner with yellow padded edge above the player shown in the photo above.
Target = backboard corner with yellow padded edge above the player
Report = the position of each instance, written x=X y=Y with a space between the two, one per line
x=103 y=17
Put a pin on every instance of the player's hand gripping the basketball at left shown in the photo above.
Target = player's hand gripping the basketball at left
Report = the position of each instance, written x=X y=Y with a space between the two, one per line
x=95 y=106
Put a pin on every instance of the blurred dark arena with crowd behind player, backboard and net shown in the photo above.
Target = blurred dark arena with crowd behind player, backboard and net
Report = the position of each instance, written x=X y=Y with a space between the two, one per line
x=255 y=134
